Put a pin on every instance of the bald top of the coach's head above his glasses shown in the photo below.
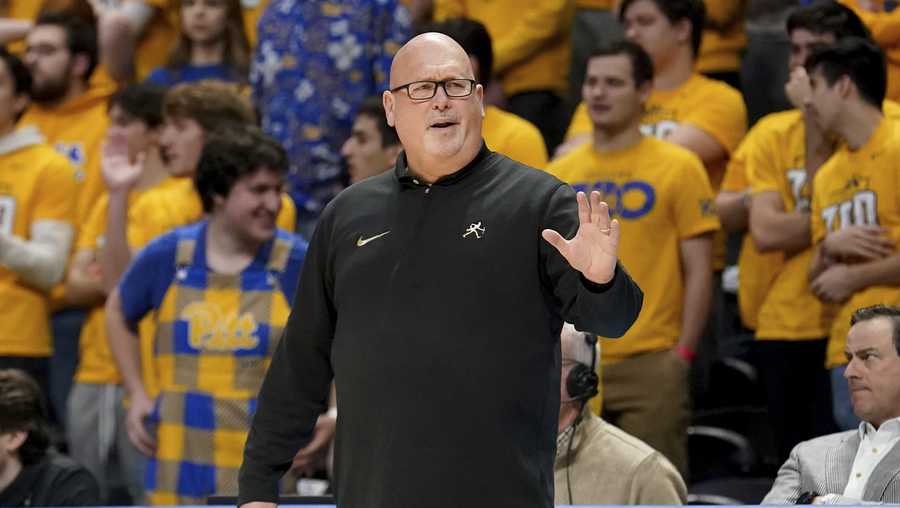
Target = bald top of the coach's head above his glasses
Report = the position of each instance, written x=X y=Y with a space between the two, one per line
x=426 y=52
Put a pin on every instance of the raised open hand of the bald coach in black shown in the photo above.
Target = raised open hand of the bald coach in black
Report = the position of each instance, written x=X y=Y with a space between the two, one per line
x=593 y=249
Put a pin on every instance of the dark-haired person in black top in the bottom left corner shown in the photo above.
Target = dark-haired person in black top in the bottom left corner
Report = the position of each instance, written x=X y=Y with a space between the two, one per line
x=32 y=474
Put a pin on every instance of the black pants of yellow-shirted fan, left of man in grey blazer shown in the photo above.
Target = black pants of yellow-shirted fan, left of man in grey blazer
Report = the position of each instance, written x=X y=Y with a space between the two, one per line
x=798 y=390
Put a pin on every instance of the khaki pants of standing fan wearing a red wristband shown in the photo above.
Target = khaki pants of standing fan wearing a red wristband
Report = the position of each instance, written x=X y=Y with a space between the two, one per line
x=647 y=397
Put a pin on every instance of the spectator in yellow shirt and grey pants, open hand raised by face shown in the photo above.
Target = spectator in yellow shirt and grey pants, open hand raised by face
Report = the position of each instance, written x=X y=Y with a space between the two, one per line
x=96 y=420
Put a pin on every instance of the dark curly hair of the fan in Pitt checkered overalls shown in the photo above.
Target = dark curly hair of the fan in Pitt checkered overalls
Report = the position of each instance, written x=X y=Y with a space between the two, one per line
x=232 y=153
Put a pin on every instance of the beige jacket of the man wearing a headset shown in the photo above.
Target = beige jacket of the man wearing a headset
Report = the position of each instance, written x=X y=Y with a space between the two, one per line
x=611 y=467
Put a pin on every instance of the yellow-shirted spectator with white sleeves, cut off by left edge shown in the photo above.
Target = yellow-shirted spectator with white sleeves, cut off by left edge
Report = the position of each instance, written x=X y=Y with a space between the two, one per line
x=37 y=214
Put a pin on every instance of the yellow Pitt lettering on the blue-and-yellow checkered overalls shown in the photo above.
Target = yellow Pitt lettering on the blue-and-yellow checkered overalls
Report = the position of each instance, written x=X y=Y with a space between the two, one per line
x=211 y=329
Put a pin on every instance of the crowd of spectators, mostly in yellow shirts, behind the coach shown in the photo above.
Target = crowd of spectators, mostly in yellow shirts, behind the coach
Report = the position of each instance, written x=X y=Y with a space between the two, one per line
x=163 y=161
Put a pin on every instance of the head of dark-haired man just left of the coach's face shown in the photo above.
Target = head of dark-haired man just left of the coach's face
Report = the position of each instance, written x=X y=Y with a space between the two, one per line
x=373 y=145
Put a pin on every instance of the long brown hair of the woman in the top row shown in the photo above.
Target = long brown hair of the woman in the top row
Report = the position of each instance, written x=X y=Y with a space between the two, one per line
x=237 y=48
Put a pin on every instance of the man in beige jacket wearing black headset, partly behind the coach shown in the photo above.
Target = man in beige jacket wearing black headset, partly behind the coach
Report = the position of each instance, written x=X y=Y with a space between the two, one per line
x=596 y=462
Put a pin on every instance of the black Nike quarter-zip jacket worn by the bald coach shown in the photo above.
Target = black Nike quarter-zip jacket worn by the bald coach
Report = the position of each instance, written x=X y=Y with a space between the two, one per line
x=437 y=309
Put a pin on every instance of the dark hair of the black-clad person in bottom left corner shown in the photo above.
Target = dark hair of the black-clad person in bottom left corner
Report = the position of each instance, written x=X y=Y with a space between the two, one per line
x=22 y=409
